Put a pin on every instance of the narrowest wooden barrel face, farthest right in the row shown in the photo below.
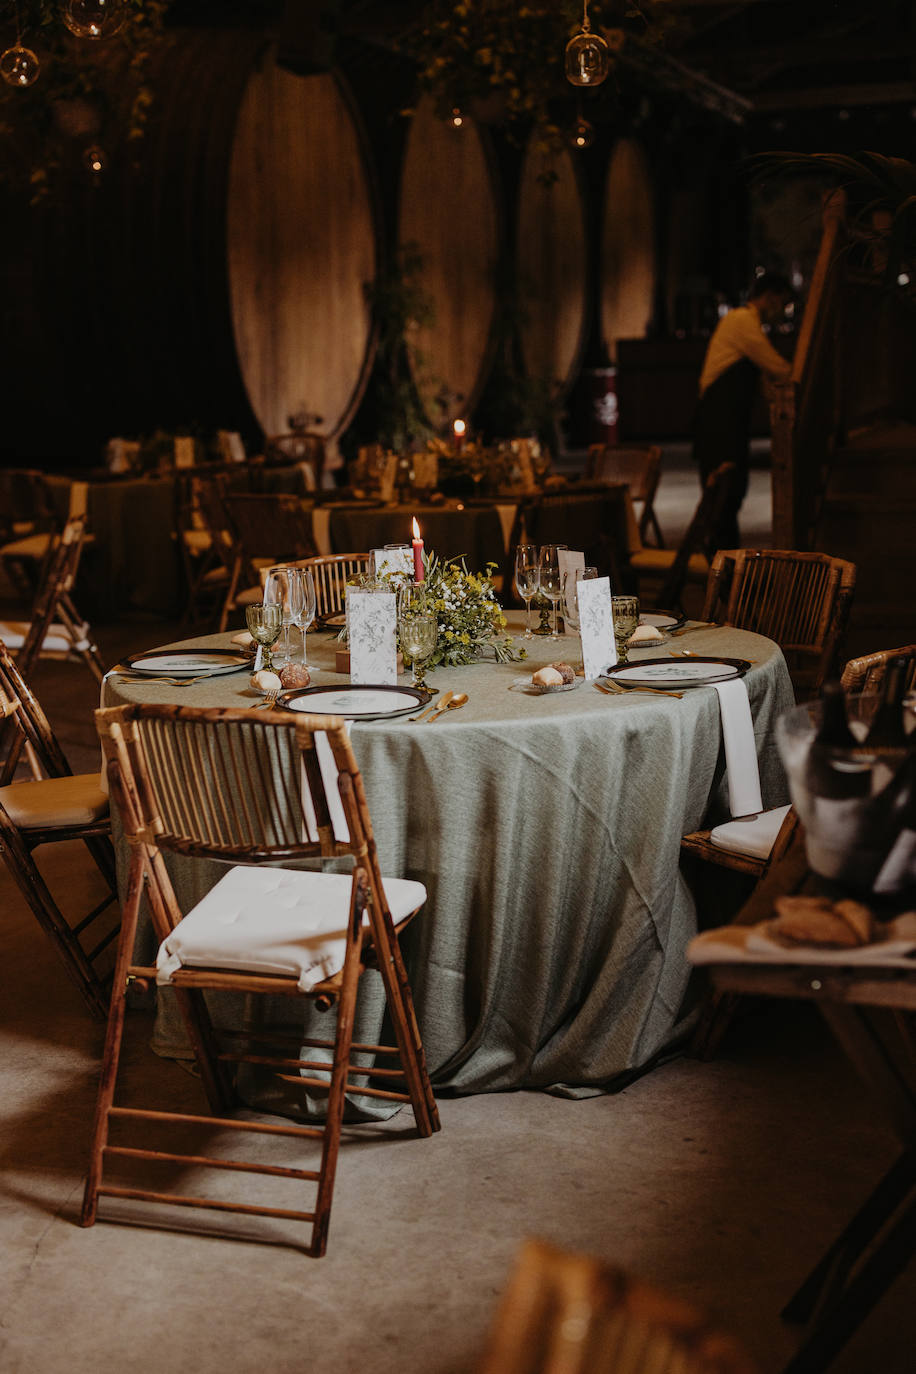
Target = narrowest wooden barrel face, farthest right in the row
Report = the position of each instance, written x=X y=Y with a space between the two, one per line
x=628 y=247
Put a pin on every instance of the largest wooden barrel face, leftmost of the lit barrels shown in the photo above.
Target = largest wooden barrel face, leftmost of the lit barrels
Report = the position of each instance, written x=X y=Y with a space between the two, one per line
x=301 y=248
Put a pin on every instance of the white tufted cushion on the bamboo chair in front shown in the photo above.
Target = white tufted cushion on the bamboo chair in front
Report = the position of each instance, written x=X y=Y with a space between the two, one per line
x=284 y=921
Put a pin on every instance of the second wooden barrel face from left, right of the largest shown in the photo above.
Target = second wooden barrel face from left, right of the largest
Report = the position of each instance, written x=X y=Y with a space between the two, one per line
x=448 y=211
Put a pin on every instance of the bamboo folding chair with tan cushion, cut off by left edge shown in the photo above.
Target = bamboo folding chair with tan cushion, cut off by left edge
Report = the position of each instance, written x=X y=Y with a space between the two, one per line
x=51 y=810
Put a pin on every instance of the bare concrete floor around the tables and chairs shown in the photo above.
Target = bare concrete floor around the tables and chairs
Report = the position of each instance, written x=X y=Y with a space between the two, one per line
x=722 y=1182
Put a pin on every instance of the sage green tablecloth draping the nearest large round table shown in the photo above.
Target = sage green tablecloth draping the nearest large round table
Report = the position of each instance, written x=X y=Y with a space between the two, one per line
x=546 y=828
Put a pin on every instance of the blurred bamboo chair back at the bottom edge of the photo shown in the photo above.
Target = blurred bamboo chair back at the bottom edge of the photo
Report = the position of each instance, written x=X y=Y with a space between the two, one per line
x=572 y=1314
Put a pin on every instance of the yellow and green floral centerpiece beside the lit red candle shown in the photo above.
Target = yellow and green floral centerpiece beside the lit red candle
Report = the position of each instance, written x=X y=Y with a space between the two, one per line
x=470 y=619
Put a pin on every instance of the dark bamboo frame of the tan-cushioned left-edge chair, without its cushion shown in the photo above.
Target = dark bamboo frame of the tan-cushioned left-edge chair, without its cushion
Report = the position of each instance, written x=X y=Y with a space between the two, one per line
x=27 y=722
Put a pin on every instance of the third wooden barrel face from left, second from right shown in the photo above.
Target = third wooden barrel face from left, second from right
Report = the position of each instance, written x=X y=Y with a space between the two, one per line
x=551 y=270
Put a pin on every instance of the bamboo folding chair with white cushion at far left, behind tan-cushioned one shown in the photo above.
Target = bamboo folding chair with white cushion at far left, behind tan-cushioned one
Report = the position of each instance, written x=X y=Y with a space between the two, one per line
x=57 y=630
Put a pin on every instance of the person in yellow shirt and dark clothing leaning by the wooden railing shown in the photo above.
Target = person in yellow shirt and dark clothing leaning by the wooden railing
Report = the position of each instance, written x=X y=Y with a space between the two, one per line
x=737 y=357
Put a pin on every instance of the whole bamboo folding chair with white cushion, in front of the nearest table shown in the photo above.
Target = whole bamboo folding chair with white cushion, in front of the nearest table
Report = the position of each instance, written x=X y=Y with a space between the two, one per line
x=237 y=788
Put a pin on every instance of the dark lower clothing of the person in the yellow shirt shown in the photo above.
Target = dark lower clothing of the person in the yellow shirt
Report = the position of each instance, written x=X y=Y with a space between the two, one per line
x=723 y=435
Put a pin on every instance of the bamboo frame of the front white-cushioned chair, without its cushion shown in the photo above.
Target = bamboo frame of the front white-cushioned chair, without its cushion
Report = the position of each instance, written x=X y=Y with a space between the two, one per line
x=226 y=785
